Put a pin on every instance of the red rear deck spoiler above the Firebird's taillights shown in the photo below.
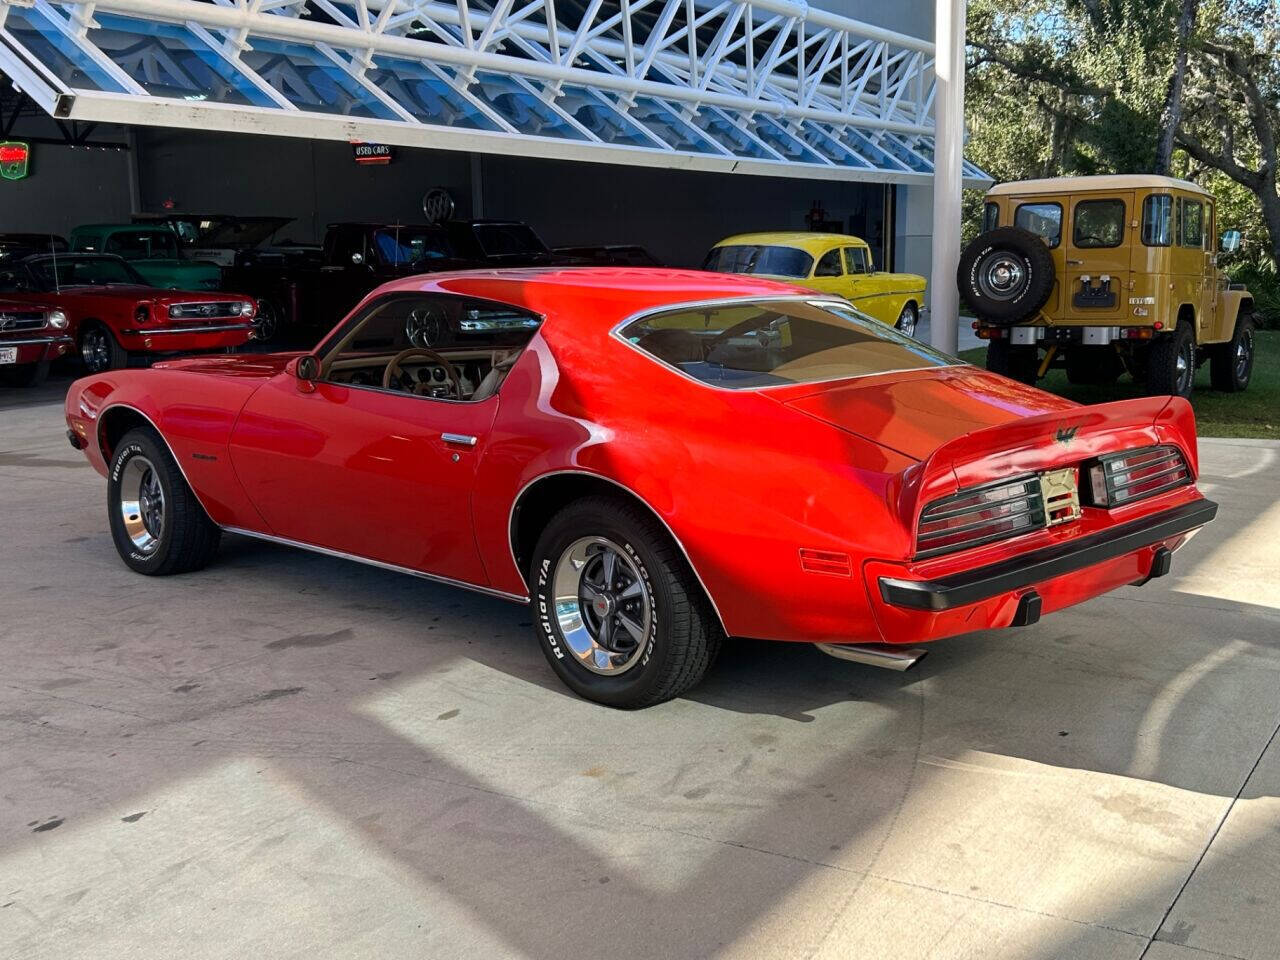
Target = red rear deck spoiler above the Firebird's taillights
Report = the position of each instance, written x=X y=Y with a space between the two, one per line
x=1046 y=442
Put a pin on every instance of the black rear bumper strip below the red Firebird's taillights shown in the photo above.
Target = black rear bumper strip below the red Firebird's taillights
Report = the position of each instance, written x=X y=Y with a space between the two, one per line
x=1046 y=564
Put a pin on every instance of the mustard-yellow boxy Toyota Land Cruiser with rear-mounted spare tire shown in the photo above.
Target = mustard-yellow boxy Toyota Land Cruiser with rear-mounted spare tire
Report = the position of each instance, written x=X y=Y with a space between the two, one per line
x=1105 y=275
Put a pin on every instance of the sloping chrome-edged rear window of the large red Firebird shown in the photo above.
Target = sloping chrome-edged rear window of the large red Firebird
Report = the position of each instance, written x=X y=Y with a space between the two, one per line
x=746 y=345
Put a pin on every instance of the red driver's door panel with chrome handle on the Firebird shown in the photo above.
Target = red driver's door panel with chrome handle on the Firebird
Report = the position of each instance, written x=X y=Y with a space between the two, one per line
x=371 y=473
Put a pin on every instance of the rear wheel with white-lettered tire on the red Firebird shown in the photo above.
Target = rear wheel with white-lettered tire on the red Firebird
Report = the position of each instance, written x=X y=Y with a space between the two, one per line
x=620 y=614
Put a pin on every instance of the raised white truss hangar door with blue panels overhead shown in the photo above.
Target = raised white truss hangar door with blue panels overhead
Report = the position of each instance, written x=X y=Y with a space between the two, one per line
x=764 y=88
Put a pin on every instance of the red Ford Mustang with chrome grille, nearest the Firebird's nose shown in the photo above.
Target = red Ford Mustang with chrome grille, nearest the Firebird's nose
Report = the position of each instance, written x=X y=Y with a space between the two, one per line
x=115 y=314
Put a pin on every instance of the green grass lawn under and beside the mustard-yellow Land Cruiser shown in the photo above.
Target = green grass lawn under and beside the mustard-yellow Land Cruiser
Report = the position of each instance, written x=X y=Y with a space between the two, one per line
x=1256 y=413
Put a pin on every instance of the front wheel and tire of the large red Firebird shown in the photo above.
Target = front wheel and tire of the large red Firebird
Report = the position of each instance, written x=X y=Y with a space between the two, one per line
x=158 y=524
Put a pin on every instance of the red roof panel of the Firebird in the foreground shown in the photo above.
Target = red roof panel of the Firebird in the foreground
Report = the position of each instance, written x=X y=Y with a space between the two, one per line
x=595 y=299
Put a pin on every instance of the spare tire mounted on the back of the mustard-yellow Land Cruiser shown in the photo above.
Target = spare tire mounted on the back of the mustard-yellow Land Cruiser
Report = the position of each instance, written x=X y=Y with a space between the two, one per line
x=1005 y=276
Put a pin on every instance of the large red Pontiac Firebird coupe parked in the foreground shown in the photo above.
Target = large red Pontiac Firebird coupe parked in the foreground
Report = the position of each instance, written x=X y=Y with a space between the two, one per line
x=656 y=460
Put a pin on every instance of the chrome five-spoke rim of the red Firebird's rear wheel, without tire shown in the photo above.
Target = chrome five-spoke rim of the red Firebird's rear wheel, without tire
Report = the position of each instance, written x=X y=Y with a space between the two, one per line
x=604 y=606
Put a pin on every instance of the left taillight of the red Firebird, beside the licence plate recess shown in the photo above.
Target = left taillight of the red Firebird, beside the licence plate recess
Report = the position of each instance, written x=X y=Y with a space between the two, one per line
x=981 y=515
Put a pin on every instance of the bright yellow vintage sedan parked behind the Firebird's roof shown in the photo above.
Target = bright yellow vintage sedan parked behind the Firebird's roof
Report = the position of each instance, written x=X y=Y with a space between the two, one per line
x=831 y=263
